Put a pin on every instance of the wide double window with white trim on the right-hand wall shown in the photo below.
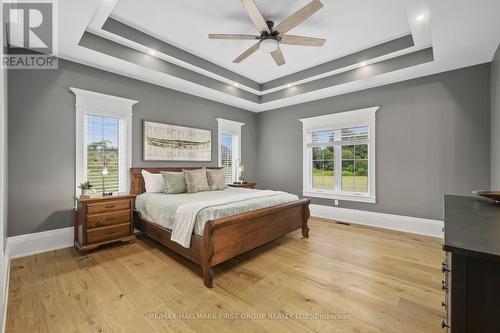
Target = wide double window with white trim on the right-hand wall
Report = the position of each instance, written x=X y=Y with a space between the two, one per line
x=339 y=156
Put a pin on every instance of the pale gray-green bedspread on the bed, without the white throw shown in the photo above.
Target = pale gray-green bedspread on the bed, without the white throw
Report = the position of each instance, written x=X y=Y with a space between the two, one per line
x=160 y=208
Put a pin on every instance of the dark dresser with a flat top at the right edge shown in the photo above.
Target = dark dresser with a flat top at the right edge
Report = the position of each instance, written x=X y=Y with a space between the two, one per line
x=471 y=282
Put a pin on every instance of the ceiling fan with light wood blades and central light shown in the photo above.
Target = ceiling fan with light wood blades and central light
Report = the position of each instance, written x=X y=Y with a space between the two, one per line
x=270 y=36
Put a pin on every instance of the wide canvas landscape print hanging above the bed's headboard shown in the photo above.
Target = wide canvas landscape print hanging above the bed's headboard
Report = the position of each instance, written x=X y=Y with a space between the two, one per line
x=164 y=142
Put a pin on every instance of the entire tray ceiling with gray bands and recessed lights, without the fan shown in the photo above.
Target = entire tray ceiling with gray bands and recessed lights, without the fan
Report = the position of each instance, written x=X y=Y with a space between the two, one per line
x=369 y=43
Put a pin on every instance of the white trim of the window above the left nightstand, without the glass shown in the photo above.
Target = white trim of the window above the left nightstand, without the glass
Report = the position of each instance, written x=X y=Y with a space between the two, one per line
x=90 y=102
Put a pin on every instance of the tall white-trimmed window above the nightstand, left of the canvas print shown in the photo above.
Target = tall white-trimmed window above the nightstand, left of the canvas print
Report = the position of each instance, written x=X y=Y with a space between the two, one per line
x=103 y=141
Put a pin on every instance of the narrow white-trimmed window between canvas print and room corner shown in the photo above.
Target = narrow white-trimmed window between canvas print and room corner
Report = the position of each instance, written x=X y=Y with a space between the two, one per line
x=229 y=148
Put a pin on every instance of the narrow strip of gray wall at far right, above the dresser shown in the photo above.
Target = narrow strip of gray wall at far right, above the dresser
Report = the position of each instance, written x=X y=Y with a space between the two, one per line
x=495 y=121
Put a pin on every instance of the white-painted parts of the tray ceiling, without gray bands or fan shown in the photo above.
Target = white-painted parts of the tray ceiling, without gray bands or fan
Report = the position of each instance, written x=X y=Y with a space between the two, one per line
x=462 y=32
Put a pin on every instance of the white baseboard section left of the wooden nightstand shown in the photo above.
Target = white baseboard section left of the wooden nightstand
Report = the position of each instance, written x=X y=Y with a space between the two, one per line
x=26 y=245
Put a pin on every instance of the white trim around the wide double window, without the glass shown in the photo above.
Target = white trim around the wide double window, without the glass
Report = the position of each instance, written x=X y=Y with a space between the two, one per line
x=355 y=118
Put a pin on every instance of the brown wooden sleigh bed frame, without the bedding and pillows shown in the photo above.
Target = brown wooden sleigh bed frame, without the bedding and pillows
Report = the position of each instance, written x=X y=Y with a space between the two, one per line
x=227 y=237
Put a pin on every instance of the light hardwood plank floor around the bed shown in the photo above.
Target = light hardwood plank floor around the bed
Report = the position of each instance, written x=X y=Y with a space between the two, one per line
x=374 y=280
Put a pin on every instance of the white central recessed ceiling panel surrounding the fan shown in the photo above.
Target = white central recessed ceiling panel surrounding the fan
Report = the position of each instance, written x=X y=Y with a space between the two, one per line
x=347 y=25
